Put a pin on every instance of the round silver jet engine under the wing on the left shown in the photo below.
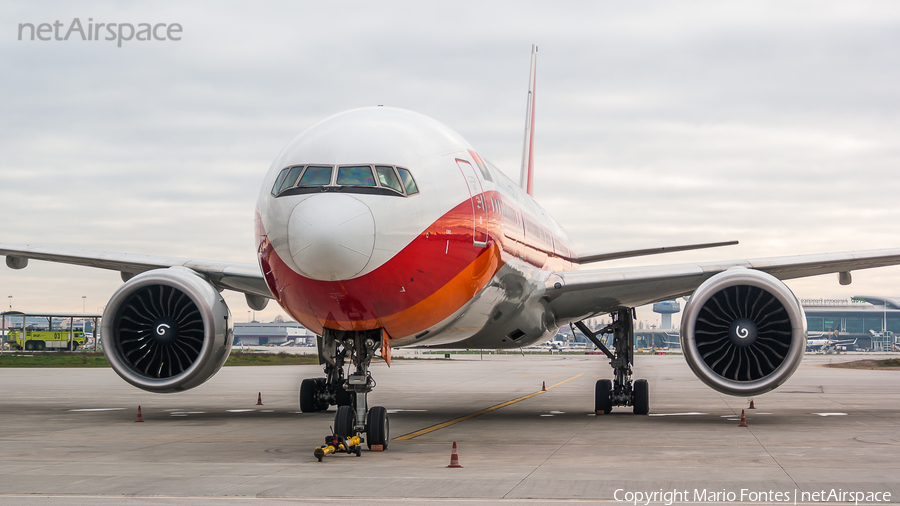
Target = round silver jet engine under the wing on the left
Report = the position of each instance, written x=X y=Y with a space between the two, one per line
x=167 y=330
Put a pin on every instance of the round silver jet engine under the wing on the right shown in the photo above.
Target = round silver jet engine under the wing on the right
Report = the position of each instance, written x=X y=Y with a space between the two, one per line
x=743 y=332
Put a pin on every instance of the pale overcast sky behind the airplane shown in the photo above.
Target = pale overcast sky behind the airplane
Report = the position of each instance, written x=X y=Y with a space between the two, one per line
x=657 y=123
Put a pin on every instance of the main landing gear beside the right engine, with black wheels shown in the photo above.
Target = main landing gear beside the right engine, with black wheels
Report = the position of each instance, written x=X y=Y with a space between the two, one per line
x=622 y=391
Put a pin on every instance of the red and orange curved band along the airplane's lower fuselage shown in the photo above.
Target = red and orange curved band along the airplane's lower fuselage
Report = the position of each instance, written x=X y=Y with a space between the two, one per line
x=427 y=281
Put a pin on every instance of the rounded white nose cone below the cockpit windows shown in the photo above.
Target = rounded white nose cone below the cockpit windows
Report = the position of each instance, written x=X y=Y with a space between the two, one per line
x=331 y=236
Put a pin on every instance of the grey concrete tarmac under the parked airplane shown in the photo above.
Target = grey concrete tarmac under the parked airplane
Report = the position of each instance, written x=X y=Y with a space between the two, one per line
x=68 y=436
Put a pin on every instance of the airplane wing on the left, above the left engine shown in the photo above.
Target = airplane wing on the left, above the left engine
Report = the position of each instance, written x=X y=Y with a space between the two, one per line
x=244 y=278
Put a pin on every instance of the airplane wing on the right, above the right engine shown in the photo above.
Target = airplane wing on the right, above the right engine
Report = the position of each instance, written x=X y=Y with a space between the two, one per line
x=575 y=295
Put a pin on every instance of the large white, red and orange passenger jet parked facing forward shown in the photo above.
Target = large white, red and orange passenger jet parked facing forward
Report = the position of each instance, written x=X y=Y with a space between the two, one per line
x=380 y=228
